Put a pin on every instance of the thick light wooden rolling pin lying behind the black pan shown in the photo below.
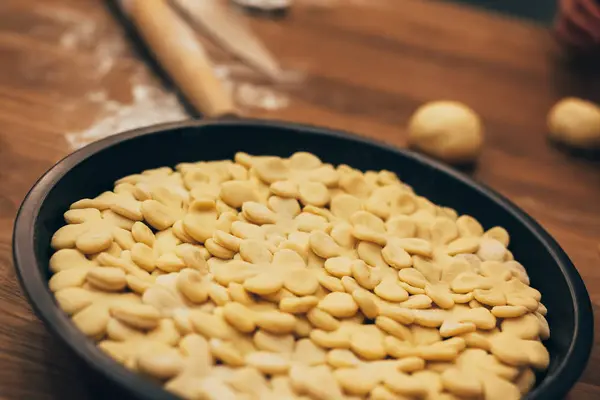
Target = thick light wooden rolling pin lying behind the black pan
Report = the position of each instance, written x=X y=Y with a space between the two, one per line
x=179 y=52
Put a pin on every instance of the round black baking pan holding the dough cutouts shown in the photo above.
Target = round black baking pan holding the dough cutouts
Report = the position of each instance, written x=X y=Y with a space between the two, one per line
x=93 y=169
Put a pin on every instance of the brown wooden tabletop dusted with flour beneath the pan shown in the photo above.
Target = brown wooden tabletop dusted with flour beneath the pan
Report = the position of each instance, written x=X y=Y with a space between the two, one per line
x=67 y=65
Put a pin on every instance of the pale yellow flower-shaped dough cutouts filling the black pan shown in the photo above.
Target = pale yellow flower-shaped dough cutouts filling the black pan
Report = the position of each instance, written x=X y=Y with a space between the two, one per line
x=273 y=278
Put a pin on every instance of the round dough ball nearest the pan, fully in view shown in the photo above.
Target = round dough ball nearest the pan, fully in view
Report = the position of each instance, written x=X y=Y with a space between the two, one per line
x=447 y=130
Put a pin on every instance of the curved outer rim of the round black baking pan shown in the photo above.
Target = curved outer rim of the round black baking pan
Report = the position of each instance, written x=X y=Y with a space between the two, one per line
x=36 y=288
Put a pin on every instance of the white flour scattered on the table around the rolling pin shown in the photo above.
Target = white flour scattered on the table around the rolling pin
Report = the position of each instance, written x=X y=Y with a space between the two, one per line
x=150 y=102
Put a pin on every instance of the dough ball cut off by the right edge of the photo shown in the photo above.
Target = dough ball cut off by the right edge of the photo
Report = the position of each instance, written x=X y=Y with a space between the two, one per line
x=575 y=122
